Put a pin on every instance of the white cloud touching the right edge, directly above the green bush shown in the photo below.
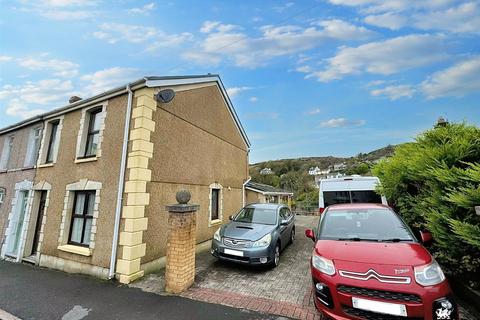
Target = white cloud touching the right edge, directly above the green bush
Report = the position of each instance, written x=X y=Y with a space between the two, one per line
x=461 y=79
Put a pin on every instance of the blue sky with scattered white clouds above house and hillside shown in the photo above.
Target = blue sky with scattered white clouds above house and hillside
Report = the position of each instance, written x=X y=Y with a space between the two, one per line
x=307 y=78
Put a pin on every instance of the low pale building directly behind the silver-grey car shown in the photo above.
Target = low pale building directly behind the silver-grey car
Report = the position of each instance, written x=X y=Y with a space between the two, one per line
x=264 y=193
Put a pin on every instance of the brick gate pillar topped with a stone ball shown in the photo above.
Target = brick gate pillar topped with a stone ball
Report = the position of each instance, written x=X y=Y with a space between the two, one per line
x=181 y=241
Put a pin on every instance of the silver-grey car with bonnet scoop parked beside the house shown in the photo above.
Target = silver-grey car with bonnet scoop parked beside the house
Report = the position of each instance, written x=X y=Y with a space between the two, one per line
x=256 y=235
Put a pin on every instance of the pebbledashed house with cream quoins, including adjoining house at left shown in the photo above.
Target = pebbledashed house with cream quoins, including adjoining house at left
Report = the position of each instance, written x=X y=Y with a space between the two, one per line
x=83 y=188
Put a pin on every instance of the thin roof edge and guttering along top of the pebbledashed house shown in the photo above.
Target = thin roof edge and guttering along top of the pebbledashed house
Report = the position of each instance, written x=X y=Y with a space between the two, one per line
x=148 y=81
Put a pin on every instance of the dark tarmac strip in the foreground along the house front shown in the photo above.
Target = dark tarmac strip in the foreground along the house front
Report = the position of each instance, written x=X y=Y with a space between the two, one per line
x=28 y=292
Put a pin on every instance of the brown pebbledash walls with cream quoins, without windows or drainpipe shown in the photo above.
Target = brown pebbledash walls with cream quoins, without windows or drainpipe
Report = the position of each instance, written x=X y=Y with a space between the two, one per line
x=194 y=142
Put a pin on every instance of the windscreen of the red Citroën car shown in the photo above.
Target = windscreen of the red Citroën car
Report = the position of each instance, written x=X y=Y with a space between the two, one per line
x=364 y=225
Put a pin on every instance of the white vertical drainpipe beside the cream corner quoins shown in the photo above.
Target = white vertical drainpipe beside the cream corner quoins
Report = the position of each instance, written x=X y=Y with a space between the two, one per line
x=121 y=178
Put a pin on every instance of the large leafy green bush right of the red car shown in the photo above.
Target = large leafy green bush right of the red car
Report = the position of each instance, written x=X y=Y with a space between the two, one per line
x=434 y=183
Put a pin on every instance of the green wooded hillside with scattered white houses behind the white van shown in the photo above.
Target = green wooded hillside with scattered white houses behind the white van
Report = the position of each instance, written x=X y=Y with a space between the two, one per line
x=292 y=174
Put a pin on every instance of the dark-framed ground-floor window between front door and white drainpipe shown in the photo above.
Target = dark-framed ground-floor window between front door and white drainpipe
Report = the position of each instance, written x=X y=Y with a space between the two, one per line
x=82 y=217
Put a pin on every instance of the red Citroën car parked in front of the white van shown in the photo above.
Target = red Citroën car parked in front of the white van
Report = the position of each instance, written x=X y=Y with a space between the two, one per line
x=367 y=264
